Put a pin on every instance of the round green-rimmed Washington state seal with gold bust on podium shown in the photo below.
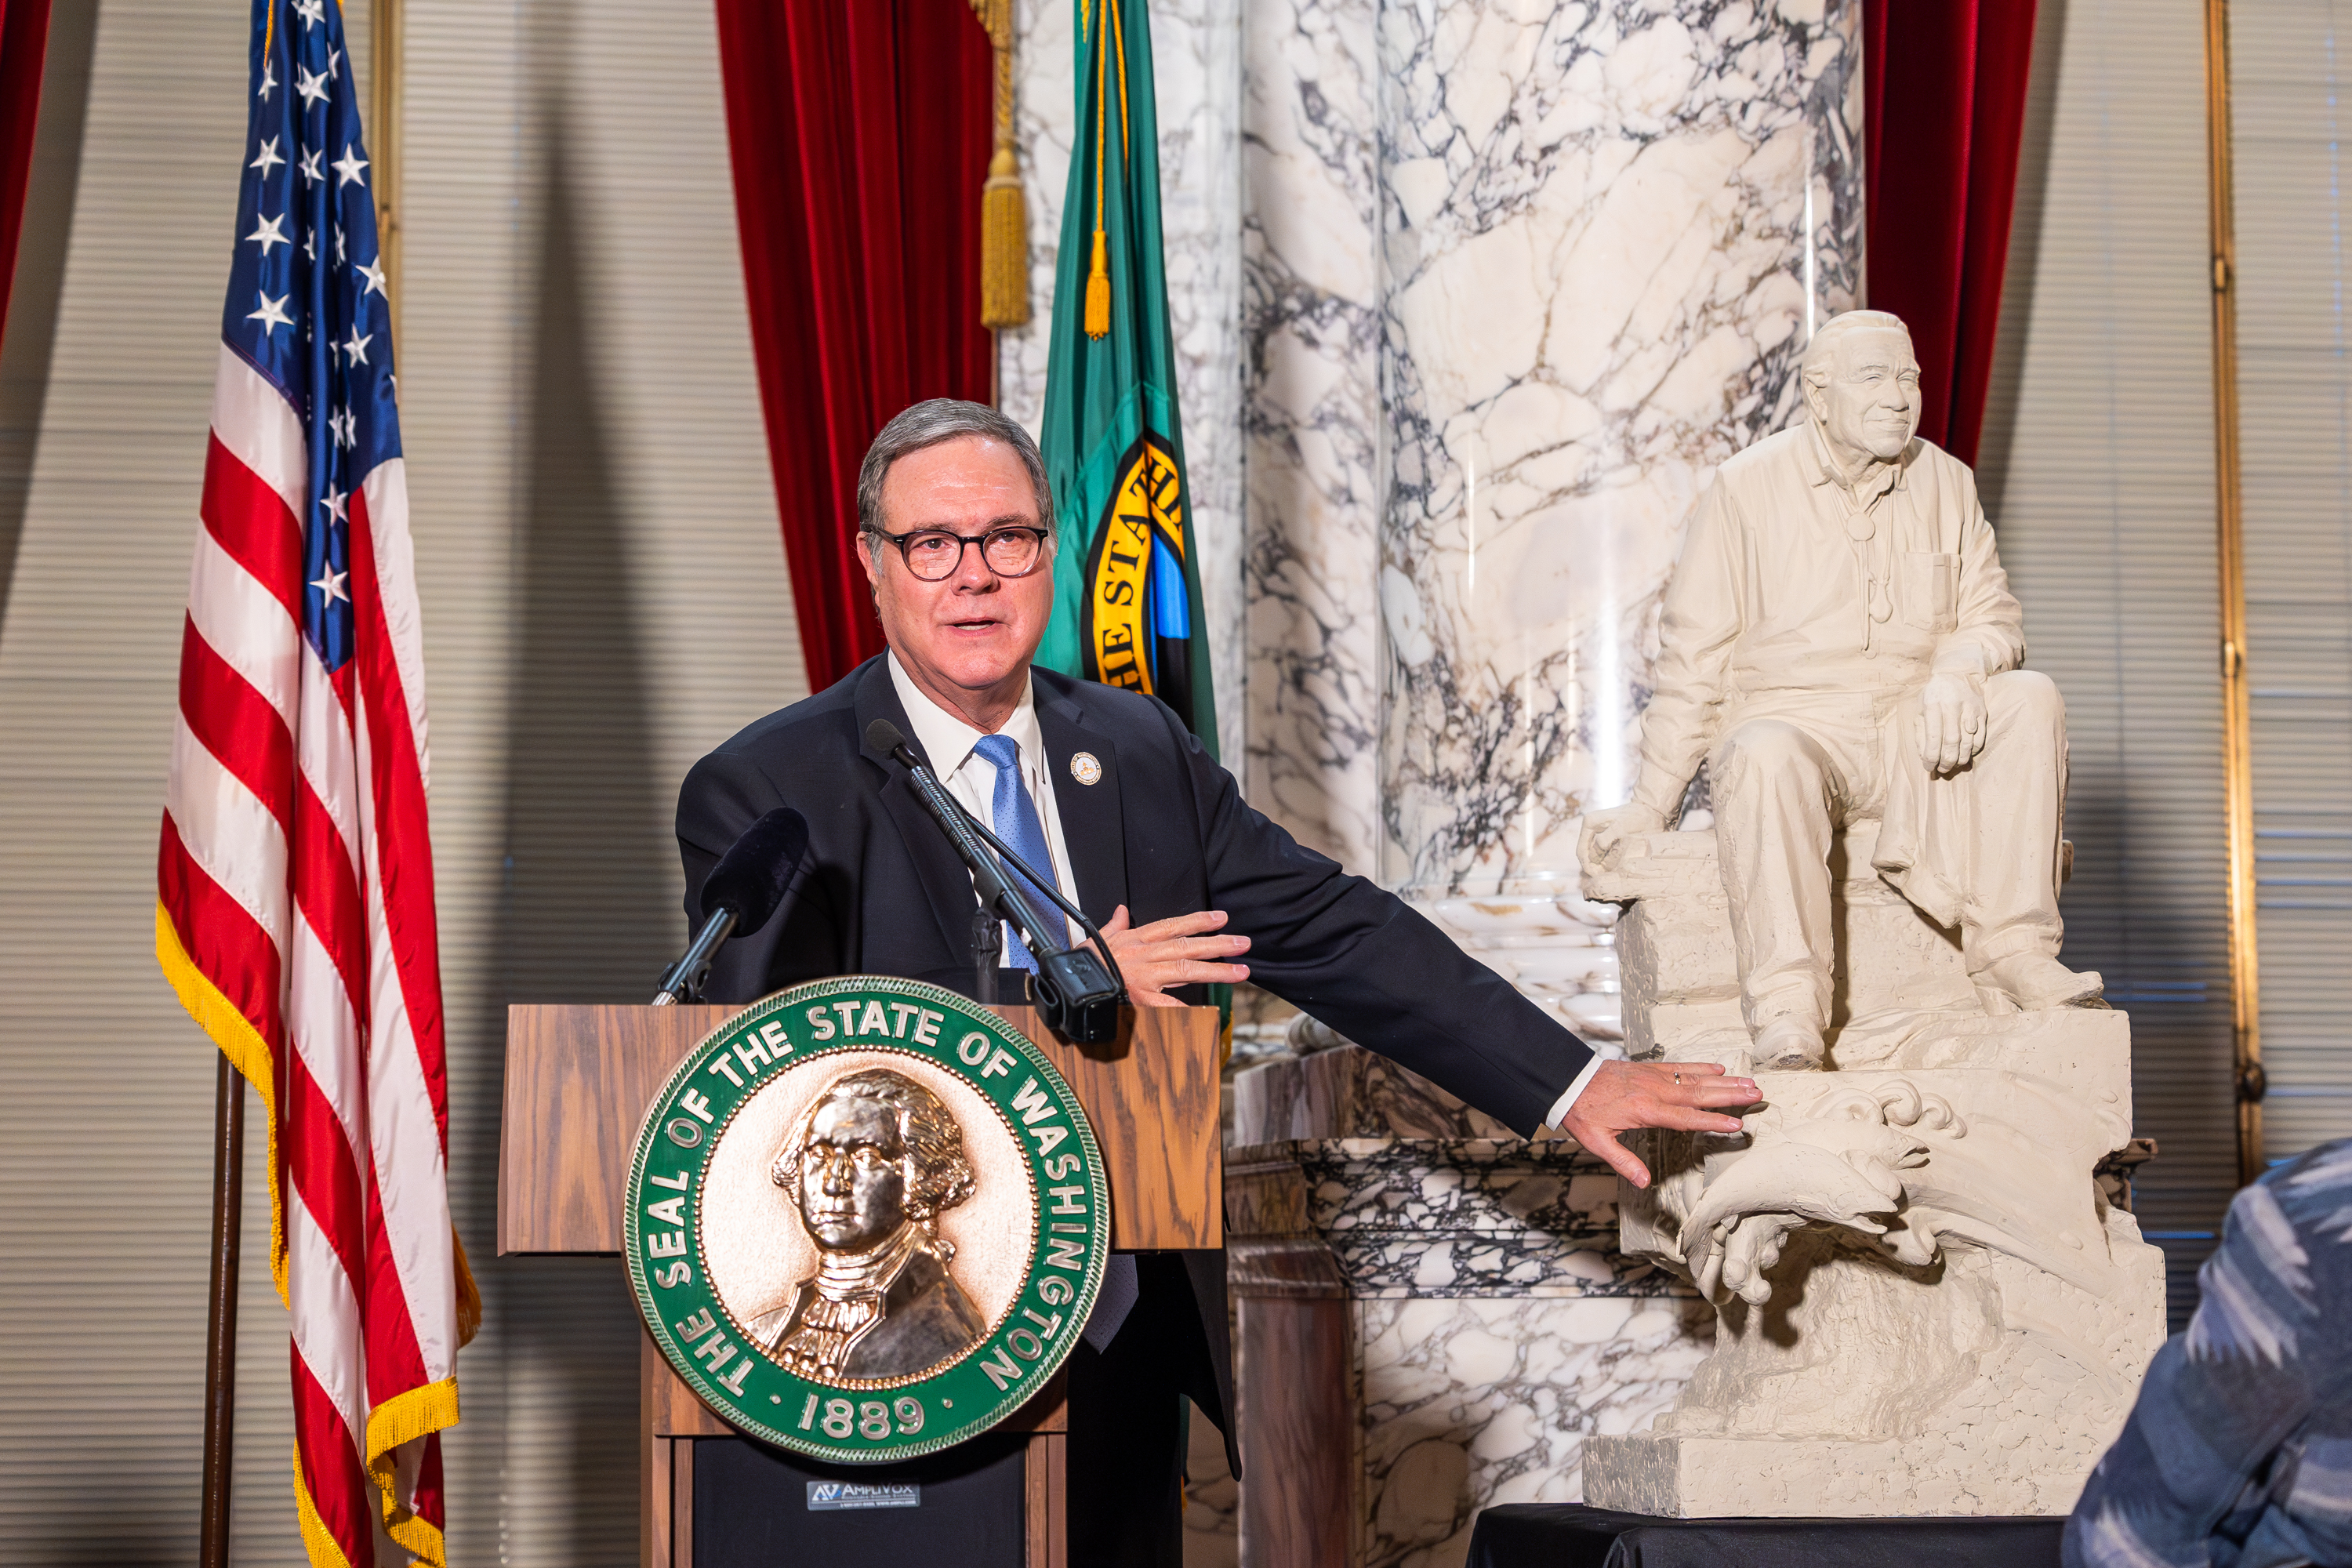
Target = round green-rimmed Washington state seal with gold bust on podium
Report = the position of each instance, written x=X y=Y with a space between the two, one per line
x=867 y=1219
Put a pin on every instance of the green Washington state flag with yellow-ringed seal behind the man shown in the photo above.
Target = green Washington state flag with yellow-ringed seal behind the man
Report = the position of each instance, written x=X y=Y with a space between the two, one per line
x=1128 y=605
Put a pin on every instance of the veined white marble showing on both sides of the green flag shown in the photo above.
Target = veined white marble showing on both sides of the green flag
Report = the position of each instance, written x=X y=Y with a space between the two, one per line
x=1198 y=86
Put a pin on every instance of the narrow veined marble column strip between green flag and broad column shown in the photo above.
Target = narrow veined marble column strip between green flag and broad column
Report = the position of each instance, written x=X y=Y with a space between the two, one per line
x=1311 y=297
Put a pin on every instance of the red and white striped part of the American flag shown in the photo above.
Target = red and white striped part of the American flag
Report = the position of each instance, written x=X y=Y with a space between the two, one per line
x=298 y=923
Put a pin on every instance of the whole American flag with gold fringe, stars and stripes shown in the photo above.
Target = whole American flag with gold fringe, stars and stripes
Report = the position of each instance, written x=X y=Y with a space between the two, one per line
x=295 y=885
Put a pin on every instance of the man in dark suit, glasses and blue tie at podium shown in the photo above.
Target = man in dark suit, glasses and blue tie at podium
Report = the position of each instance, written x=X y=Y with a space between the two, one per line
x=1156 y=843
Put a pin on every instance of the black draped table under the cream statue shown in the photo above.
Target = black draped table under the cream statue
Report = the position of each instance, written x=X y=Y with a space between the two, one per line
x=1572 y=1536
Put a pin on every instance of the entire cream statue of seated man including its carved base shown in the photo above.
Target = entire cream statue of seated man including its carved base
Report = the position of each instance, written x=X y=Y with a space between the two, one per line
x=1927 y=1301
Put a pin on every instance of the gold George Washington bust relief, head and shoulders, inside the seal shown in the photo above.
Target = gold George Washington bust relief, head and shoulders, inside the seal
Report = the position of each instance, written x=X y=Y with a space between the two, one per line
x=874 y=1165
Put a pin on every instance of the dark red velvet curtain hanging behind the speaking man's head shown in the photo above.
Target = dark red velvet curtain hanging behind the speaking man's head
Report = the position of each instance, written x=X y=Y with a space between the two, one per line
x=862 y=135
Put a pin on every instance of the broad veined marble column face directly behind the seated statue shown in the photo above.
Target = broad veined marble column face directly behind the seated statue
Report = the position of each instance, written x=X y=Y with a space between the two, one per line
x=1608 y=234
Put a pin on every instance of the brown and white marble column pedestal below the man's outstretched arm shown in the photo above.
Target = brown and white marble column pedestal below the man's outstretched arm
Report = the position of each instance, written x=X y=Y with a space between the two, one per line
x=1431 y=1315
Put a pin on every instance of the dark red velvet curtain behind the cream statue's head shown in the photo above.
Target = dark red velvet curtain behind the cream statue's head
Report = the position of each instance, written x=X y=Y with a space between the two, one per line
x=1942 y=126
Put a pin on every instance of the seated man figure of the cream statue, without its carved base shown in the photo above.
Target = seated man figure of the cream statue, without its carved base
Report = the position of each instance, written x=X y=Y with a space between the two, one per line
x=1840 y=645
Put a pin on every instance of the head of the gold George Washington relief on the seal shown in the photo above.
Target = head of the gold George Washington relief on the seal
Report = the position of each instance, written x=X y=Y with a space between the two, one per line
x=874 y=1155
